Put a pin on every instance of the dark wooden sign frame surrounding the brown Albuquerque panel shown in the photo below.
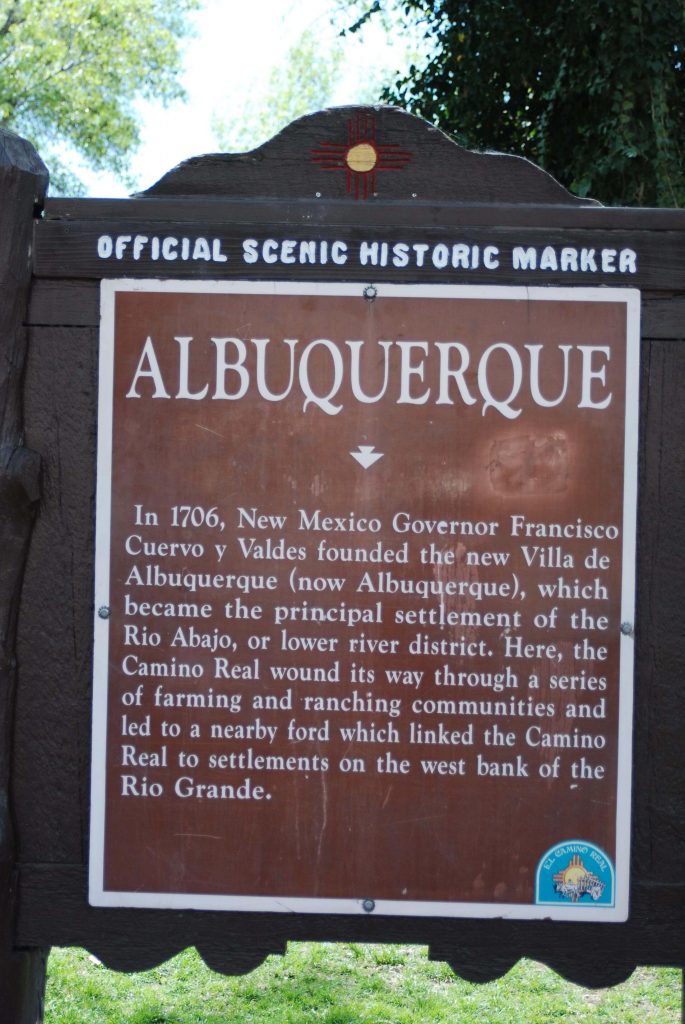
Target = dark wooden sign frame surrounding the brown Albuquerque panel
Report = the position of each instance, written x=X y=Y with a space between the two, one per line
x=515 y=226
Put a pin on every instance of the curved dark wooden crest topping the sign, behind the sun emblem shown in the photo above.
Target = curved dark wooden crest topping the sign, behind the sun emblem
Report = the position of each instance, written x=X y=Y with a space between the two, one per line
x=425 y=162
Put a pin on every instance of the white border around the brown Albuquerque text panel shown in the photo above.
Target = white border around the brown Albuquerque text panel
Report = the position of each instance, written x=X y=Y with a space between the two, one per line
x=98 y=895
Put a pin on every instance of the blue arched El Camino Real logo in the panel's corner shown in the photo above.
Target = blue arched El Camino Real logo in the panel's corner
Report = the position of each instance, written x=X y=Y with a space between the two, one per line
x=576 y=873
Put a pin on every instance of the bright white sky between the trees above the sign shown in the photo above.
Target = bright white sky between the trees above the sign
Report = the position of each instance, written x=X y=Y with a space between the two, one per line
x=231 y=64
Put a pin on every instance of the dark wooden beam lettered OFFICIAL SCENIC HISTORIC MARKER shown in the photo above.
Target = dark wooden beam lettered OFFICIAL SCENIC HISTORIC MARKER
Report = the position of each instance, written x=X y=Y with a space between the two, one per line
x=70 y=250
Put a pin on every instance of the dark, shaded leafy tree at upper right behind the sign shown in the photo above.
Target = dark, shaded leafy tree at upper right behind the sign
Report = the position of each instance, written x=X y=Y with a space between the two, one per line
x=591 y=91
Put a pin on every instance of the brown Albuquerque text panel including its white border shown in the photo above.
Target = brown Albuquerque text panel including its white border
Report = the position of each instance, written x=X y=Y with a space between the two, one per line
x=364 y=594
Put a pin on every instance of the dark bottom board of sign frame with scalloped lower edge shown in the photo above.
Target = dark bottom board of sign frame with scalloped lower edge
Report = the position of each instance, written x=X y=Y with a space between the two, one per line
x=53 y=899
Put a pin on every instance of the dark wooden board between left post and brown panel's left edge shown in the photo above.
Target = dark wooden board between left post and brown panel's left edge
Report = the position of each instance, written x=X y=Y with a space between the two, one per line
x=53 y=731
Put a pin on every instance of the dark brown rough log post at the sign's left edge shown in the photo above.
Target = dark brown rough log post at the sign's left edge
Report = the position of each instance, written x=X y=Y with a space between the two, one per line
x=23 y=185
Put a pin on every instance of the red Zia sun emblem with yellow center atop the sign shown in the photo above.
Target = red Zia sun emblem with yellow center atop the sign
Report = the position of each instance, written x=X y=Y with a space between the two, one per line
x=362 y=158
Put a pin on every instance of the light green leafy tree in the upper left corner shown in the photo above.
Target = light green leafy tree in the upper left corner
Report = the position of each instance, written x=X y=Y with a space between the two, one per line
x=71 y=70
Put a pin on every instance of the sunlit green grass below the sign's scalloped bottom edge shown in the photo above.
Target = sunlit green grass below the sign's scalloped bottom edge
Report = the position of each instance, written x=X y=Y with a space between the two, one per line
x=318 y=984
